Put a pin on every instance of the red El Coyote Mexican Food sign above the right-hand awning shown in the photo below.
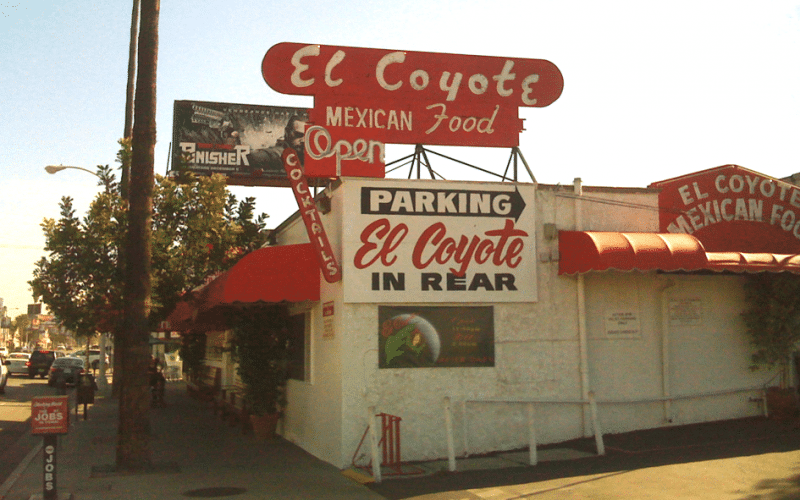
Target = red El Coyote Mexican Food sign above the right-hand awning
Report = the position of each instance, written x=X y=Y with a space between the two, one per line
x=731 y=208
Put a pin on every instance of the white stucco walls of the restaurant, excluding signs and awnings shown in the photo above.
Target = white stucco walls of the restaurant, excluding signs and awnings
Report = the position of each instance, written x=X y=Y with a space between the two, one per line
x=537 y=351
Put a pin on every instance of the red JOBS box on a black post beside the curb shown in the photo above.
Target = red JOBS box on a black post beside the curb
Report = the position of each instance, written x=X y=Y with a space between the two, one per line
x=49 y=418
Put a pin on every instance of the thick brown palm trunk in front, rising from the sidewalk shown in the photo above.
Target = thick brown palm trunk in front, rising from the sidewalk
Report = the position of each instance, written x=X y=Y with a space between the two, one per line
x=133 y=443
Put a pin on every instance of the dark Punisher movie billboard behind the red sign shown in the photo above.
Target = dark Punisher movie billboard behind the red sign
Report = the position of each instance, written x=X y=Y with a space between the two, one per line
x=243 y=142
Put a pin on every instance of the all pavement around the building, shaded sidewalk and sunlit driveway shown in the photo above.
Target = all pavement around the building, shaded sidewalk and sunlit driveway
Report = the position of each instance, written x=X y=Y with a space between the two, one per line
x=197 y=455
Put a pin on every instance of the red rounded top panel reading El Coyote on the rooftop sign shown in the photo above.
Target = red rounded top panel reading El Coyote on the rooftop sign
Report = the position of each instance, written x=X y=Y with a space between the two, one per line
x=304 y=69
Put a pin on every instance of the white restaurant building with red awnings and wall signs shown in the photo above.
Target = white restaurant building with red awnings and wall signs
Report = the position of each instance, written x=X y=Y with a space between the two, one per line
x=528 y=293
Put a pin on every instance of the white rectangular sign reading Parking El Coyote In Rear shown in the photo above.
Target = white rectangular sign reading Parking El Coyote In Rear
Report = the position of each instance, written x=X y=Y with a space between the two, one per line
x=438 y=241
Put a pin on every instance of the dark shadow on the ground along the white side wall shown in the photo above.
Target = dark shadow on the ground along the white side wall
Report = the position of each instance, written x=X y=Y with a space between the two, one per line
x=627 y=452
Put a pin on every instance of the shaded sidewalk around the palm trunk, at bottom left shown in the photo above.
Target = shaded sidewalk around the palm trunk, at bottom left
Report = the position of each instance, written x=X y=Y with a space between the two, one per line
x=195 y=454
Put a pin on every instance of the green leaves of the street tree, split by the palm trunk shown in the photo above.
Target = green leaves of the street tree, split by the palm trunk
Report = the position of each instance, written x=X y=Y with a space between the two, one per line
x=199 y=230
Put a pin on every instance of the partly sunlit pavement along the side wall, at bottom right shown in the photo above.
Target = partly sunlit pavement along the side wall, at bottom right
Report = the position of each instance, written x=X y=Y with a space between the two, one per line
x=746 y=459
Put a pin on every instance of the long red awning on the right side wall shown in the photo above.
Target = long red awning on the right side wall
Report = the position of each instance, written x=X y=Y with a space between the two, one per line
x=584 y=251
